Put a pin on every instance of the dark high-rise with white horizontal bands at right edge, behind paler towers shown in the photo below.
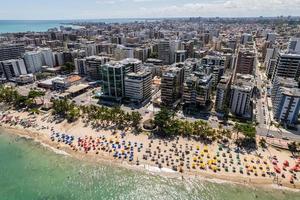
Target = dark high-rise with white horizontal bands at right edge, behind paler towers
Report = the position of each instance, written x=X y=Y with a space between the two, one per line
x=287 y=65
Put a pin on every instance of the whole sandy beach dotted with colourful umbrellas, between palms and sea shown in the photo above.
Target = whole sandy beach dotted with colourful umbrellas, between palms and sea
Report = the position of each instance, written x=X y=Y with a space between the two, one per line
x=178 y=158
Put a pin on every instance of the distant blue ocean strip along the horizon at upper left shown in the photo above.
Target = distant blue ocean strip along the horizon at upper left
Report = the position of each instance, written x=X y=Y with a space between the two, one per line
x=15 y=26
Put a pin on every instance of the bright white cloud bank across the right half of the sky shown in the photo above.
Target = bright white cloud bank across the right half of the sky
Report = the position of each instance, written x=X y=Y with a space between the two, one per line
x=227 y=8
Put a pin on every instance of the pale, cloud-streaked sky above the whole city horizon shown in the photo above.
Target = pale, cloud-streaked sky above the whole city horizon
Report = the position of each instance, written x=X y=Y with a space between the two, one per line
x=104 y=9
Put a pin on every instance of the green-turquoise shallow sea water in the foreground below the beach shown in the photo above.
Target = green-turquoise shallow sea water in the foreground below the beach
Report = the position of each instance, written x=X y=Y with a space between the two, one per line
x=32 y=172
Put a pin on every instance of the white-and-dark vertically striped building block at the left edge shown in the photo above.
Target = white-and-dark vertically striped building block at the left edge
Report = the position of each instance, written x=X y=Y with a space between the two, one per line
x=13 y=68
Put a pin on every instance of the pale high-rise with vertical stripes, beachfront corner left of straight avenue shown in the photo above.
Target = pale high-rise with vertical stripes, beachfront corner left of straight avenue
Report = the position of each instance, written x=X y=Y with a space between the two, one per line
x=241 y=95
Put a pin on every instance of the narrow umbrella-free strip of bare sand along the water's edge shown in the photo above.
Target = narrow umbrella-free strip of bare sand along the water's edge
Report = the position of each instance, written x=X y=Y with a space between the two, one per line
x=65 y=150
